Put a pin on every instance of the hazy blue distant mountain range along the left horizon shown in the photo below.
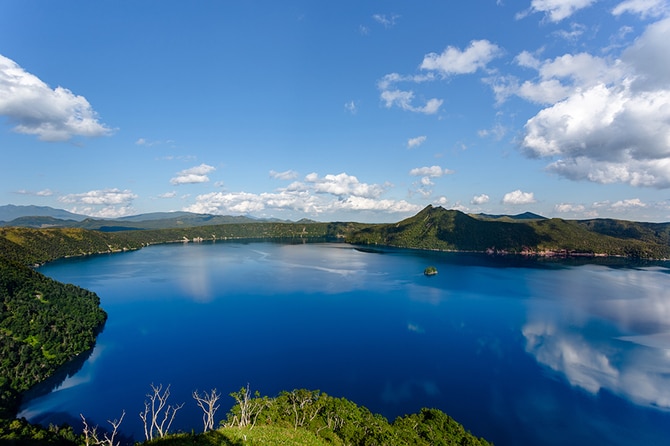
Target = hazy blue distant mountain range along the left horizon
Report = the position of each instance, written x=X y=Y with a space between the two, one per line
x=47 y=217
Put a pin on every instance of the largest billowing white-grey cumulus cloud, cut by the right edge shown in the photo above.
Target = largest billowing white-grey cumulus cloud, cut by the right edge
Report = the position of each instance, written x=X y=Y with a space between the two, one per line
x=613 y=126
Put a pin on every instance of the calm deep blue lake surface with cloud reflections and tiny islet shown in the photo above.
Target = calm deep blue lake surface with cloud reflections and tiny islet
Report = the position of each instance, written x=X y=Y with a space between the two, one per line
x=522 y=352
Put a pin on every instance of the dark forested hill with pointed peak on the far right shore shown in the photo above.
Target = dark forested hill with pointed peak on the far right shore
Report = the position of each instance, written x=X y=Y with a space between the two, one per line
x=441 y=229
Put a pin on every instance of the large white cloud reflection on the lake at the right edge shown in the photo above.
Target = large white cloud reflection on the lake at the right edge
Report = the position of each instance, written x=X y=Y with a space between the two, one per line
x=618 y=340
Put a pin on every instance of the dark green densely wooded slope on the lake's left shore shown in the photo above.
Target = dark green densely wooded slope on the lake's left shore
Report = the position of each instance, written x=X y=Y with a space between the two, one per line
x=43 y=325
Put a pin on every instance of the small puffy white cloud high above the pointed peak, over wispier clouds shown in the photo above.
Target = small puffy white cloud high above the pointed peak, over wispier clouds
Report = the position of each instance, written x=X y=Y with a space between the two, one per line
x=454 y=61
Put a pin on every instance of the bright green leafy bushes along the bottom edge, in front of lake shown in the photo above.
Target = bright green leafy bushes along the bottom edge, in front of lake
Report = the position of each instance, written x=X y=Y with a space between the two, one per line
x=306 y=417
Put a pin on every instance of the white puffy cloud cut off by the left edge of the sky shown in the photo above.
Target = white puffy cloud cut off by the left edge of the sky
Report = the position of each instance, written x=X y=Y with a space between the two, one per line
x=34 y=108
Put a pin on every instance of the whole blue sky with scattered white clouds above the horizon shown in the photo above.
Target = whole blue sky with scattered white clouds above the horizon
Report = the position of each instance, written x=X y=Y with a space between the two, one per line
x=347 y=110
